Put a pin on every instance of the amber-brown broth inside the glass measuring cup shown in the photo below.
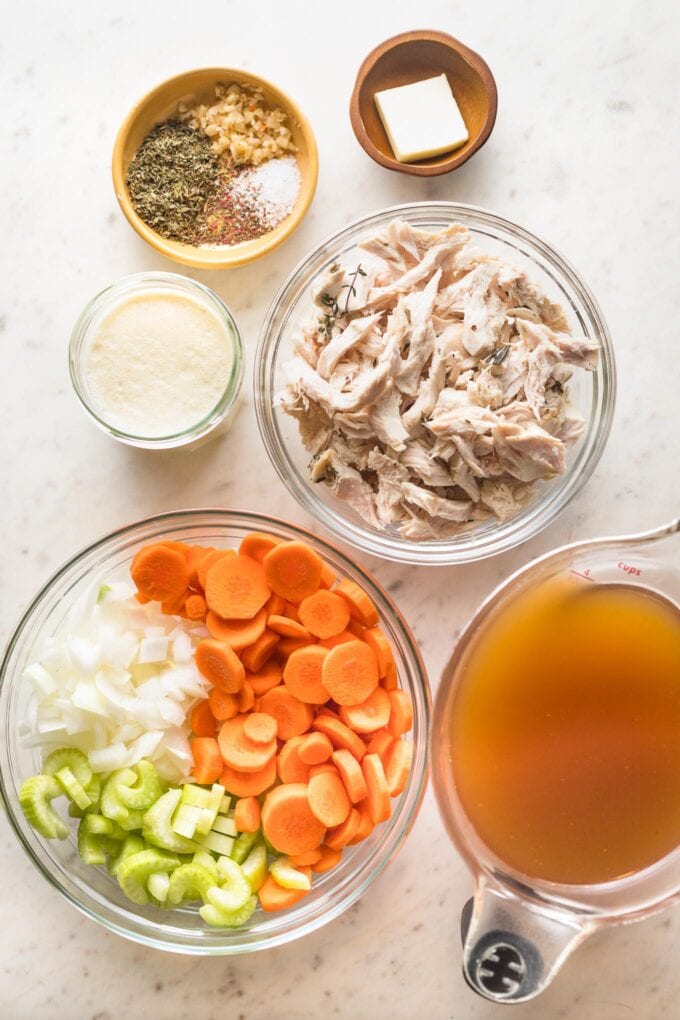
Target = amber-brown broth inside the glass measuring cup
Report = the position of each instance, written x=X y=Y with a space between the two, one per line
x=565 y=732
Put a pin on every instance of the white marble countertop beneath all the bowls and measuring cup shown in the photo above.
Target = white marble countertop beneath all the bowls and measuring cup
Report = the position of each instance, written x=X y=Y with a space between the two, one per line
x=586 y=154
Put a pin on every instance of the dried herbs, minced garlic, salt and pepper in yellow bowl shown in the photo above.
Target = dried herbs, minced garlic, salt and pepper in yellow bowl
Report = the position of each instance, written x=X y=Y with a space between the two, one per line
x=218 y=175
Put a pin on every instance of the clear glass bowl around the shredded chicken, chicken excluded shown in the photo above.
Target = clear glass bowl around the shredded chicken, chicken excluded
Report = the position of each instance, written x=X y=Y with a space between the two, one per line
x=593 y=393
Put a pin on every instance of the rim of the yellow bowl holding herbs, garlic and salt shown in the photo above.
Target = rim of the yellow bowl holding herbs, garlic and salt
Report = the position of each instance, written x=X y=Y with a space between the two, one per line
x=233 y=257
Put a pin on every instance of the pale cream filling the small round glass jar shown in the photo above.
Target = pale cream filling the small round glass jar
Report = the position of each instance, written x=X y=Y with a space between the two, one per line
x=158 y=364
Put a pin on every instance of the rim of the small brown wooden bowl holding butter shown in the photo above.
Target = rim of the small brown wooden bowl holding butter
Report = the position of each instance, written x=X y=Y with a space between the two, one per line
x=456 y=160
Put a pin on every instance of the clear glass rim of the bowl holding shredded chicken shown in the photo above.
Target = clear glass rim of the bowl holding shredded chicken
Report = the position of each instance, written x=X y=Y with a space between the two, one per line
x=386 y=545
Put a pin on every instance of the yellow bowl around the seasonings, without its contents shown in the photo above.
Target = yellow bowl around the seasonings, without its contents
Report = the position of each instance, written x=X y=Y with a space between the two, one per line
x=199 y=86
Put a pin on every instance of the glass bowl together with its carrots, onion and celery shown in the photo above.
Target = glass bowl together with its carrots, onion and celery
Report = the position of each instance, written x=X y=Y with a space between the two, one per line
x=134 y=670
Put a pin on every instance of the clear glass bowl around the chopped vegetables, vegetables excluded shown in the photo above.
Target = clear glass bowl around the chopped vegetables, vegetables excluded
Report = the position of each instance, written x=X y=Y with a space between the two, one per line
x=91 y=889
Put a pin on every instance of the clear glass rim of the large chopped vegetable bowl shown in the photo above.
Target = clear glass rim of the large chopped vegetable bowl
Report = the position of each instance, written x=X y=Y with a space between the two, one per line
x=156 y=935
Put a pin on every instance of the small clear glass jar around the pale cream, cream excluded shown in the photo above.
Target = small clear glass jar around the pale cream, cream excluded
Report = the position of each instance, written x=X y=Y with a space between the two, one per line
x=143 y=283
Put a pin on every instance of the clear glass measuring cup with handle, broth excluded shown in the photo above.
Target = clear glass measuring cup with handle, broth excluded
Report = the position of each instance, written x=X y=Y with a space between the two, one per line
x=518 y=930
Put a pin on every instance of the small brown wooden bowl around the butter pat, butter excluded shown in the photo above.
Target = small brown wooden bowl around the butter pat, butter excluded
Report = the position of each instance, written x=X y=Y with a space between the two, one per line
x=411 y=58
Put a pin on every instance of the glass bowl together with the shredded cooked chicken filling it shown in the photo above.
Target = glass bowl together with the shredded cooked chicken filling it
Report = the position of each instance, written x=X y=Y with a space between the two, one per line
x=435 y=384
